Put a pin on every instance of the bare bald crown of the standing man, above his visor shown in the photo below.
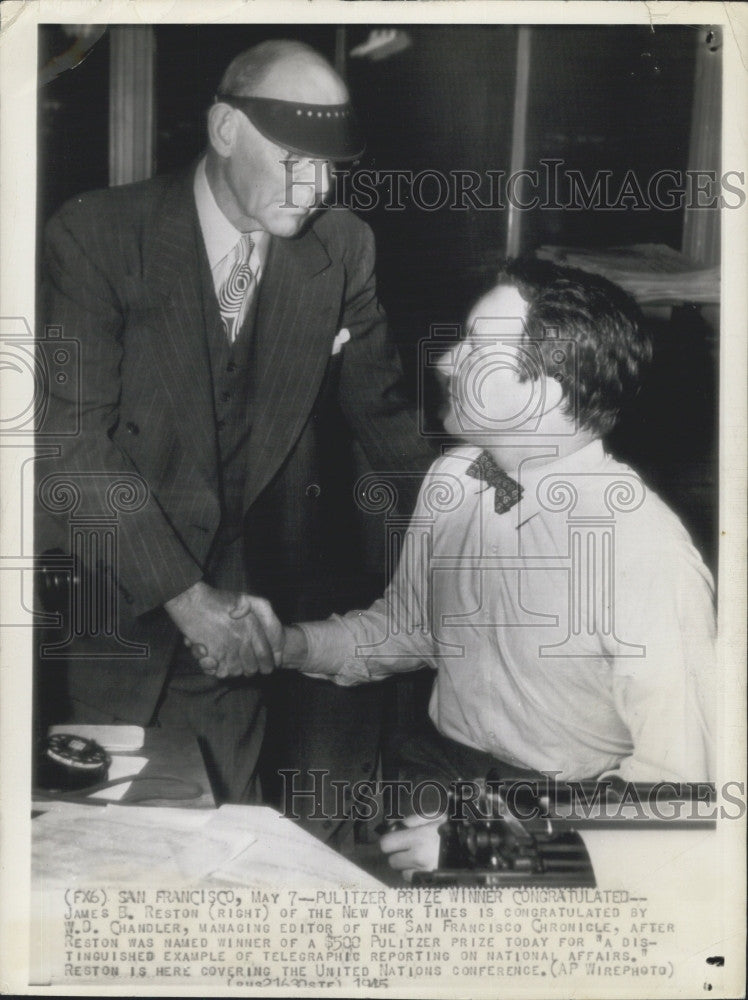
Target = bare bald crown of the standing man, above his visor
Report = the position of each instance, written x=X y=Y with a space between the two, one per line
x=285 y=70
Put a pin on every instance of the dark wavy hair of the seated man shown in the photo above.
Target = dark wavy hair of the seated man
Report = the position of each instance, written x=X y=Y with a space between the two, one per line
x=601 y=370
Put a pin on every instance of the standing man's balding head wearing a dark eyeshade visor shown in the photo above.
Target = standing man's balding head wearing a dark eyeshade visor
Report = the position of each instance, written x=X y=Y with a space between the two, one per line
x=270 y=154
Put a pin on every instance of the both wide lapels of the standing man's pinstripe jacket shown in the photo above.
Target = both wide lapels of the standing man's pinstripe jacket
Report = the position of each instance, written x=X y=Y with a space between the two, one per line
x=297 y=312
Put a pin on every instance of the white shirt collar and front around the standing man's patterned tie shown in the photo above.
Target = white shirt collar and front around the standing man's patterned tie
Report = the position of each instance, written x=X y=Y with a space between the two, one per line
x=221 y=236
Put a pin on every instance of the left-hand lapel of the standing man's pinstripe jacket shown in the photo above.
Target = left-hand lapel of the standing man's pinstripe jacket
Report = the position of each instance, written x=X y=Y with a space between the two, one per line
x=173 y=272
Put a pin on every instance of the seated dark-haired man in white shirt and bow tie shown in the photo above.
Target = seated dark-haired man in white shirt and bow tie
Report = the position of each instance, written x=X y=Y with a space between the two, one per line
x=568 y=616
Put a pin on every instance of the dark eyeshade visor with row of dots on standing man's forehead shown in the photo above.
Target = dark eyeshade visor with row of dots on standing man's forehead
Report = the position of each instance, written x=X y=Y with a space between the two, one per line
x=325 y=131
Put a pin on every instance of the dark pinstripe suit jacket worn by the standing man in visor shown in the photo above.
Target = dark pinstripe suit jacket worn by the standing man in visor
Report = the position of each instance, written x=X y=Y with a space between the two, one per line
x=122 y=278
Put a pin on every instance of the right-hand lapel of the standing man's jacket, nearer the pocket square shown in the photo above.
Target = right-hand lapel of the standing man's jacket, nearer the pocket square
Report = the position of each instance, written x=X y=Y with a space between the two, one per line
x=297 y=311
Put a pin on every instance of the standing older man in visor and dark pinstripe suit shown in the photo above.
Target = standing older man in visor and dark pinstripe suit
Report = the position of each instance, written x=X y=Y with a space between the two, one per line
x=223 y=322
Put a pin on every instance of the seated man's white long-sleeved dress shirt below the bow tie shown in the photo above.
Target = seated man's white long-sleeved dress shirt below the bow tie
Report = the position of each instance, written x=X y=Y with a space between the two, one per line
x=540 y=661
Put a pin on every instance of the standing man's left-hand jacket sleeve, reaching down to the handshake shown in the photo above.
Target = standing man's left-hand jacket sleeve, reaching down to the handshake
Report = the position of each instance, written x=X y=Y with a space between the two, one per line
x=150 y=564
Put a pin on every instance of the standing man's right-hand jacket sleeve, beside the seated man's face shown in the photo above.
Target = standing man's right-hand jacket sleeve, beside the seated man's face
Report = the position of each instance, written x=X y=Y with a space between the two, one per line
x=372 y=393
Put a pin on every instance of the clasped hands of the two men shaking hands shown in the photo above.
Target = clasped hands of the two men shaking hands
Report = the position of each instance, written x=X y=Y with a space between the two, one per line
x=230 y=634
